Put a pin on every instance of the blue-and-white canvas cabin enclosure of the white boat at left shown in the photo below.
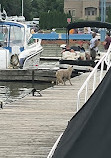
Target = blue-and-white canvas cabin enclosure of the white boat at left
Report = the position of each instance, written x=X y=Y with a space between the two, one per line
x=13 y=35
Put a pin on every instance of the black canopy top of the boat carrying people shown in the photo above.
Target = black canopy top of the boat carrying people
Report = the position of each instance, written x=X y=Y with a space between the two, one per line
x=83 y=24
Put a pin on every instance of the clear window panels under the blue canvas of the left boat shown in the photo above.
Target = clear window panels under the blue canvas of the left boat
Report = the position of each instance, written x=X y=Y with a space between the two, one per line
x=11 y=35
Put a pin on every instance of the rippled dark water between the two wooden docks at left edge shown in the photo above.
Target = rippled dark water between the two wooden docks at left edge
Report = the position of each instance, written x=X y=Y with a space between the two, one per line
x=11 y=91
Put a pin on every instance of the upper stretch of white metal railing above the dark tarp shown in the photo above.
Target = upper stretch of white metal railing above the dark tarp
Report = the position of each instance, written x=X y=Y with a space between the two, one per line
x=104 y=60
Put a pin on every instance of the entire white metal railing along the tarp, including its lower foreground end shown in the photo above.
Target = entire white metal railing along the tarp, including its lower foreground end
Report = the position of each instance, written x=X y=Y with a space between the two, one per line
x=105 y=59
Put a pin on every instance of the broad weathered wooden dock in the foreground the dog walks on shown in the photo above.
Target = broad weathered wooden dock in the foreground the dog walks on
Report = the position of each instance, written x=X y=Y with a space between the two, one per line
x=30 y=126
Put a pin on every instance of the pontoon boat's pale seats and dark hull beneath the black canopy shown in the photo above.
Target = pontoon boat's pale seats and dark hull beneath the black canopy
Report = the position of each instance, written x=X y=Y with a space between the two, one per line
x=75 y=56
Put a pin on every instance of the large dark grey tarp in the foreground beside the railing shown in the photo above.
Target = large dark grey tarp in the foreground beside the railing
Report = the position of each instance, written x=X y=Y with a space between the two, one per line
x=88 y=134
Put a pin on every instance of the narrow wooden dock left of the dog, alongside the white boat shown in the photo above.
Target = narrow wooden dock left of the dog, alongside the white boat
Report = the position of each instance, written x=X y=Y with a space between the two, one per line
x=46 y=74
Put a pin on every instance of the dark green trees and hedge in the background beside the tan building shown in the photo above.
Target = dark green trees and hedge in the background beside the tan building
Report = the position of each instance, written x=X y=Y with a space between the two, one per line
x=50 y=12
